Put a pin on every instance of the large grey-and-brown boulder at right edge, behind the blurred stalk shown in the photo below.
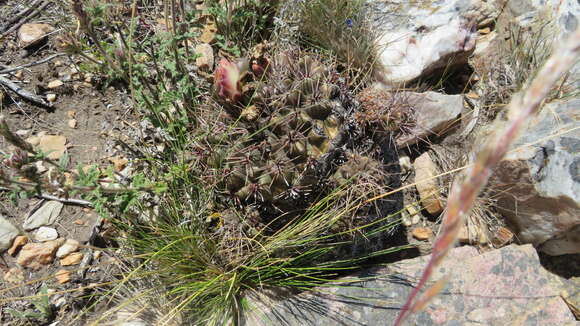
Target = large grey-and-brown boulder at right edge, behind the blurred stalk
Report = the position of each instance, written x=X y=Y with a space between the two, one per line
x=538 y=186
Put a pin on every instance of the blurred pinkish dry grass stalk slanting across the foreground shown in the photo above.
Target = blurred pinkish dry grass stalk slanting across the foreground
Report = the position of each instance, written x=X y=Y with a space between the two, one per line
x=463 y=194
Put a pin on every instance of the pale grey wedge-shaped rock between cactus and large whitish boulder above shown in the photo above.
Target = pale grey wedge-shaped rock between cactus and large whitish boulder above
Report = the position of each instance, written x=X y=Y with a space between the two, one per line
x=434 y=114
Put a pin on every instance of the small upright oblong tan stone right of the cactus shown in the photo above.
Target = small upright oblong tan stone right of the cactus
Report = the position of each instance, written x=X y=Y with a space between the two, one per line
x=427 y=185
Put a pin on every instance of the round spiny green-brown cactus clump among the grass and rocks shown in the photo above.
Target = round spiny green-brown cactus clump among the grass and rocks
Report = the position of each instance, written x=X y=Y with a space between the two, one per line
x=301 y=141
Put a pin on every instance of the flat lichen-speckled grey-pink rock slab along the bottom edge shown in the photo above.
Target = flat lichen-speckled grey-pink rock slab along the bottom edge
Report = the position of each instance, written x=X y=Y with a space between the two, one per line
x=480 y=291
